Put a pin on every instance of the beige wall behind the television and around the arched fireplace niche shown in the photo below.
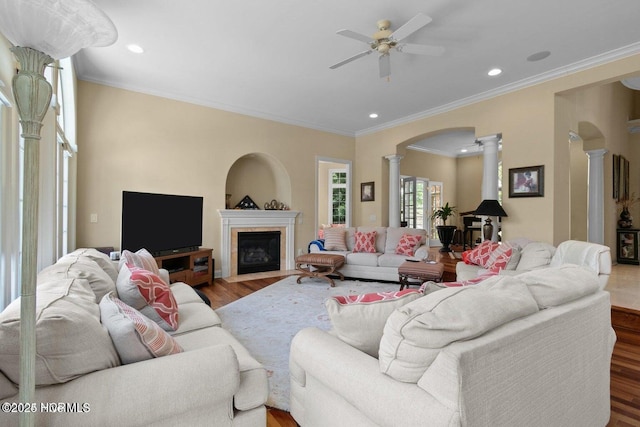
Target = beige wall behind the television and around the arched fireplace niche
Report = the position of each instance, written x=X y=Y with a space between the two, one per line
x=132 y=141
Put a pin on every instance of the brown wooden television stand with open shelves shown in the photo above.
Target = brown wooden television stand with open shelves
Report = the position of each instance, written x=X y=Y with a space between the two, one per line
x=193 y=268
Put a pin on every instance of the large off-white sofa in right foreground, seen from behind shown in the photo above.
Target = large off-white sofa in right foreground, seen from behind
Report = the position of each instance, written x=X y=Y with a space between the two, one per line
x=541 y=365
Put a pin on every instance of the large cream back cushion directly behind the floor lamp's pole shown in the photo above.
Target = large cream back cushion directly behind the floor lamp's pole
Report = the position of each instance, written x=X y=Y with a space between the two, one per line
x=70 y=340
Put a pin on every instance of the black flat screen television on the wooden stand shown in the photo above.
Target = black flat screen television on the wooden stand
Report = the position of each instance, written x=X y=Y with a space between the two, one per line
x=161 y=223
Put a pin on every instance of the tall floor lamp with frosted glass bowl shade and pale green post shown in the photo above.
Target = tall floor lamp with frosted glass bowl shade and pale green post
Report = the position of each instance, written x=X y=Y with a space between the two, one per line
x=40 y=32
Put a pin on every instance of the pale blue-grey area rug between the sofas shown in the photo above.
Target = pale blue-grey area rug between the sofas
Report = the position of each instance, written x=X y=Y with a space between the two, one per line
x=266 y=321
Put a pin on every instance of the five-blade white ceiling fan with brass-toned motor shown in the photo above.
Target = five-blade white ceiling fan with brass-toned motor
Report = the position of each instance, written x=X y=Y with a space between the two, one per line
x=384 y=40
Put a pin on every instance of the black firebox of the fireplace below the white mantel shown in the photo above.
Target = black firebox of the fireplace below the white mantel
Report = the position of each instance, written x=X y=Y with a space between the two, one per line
x=258 y=251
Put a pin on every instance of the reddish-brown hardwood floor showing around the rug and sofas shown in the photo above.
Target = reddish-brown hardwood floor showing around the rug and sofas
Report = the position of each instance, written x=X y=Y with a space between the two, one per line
x=625 y=364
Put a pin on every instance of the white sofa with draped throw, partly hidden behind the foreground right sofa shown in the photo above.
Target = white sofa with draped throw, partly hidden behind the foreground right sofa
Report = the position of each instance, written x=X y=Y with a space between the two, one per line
x=531 y=255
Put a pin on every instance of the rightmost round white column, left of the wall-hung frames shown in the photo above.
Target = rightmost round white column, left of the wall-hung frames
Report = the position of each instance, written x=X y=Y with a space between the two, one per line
x=595 y=196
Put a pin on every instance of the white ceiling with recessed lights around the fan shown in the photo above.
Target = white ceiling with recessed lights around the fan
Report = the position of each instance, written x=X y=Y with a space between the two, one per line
x=271 y=59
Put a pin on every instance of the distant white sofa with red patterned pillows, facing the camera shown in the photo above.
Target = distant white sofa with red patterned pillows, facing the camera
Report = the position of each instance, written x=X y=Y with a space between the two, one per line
x=382 y=265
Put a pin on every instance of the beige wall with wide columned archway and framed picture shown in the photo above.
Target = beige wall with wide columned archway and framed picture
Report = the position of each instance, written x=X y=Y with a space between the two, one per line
x=534 y=126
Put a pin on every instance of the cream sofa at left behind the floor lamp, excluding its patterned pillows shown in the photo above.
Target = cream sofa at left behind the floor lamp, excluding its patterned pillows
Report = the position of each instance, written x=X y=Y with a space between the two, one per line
x=213 y=381
